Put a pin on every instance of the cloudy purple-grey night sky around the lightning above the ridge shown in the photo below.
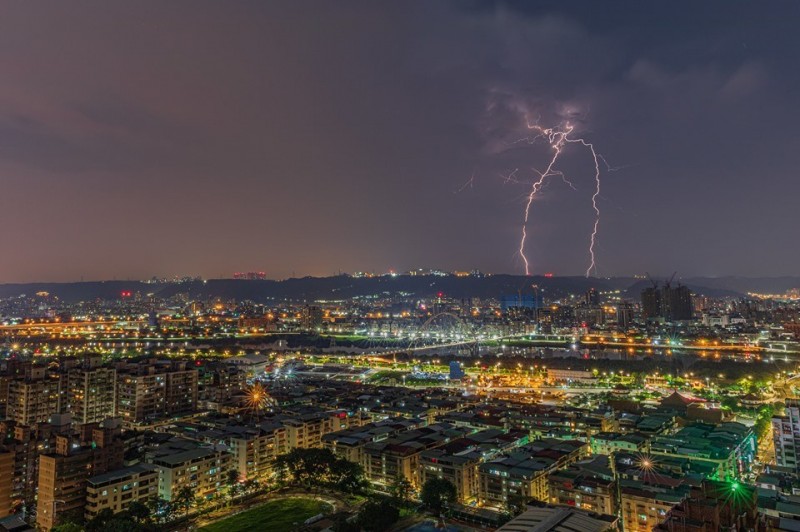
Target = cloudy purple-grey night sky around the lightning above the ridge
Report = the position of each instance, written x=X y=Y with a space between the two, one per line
x=305 y=138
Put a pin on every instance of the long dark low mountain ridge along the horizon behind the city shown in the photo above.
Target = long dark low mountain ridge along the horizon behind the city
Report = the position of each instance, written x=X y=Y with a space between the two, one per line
x=346 y=287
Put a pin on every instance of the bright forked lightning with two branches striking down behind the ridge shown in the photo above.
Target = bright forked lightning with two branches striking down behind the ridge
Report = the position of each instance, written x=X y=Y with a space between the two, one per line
x=558 y=138
